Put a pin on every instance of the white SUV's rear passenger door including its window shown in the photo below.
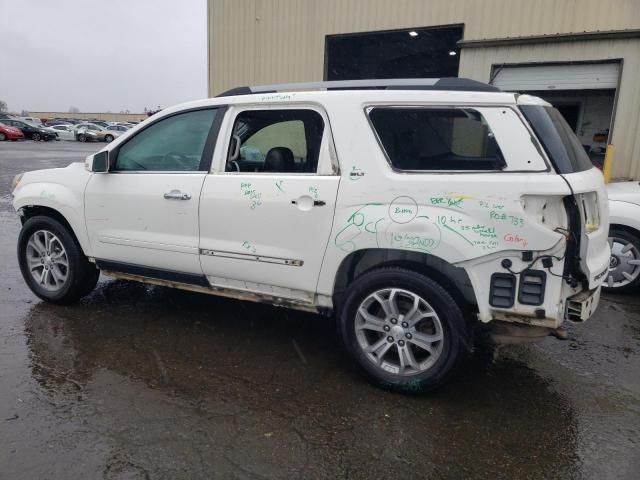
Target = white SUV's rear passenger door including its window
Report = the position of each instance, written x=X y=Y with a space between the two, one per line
x=265 y=221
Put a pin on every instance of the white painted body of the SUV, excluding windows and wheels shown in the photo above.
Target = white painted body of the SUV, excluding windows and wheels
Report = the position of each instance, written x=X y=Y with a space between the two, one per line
x=471 y=220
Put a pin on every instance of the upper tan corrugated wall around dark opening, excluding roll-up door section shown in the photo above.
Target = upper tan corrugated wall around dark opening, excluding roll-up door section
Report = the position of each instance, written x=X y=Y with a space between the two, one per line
x=264 y=41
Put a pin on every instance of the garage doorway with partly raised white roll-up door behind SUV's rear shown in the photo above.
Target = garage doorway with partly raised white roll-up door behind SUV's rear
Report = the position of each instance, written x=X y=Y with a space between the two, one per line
x=584 y=93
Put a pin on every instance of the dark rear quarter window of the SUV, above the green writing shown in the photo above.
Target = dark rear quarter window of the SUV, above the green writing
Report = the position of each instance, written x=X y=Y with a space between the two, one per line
x=446 y=139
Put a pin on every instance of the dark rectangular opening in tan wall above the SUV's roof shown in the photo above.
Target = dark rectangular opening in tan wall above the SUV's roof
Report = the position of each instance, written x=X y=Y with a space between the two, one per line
x=411 y=53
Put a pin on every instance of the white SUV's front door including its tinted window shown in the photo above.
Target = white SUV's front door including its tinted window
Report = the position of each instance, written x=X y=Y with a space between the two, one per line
x=144 y=211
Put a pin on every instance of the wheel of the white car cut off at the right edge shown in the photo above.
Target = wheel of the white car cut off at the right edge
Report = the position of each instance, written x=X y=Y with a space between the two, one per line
x=624 y=266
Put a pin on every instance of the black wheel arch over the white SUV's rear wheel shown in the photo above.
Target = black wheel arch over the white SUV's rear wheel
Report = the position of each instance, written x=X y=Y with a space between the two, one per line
x=453 y=279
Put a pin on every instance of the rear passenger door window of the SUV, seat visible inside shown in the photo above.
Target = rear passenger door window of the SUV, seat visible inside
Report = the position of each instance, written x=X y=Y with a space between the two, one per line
x=276 y=141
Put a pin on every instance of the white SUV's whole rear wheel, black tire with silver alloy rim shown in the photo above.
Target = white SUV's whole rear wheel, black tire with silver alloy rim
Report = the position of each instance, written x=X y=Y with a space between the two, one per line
x=442 y=323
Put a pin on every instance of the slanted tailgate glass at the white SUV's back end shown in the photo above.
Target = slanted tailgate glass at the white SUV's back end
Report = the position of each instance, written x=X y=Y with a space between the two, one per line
x=561 y=144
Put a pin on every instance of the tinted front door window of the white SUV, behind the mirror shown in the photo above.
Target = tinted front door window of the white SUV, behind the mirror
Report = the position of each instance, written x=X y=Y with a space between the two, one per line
x=175 y=143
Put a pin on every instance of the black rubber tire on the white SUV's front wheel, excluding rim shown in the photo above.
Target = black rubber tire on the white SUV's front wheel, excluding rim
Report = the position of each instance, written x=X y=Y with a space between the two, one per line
x=74 y=256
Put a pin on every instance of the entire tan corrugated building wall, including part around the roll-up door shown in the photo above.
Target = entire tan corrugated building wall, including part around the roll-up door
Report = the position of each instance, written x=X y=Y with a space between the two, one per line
x=269 y=41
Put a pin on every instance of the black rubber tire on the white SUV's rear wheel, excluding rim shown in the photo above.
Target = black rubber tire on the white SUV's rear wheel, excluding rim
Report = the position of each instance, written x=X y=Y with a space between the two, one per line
x=450 y=315
